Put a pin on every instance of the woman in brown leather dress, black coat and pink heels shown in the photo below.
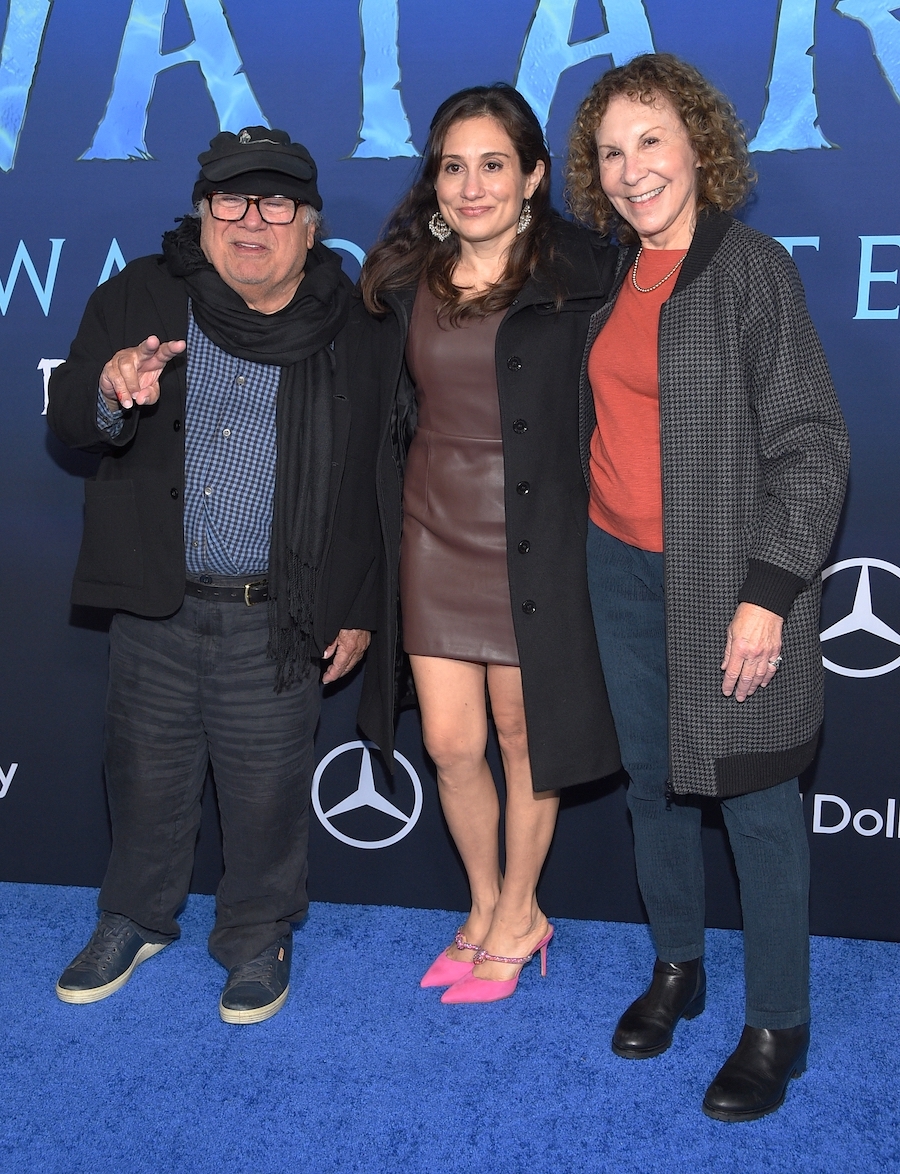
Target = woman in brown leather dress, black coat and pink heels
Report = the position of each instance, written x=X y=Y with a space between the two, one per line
x=488 y=296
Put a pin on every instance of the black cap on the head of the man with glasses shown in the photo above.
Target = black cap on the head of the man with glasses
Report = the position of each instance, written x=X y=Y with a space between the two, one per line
x=253 y=153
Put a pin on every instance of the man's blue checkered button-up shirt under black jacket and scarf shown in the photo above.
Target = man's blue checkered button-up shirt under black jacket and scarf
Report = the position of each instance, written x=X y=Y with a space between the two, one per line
x=229 y=458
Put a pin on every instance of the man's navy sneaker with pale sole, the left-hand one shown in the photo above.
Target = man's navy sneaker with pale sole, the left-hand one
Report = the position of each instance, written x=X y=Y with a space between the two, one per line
x=107 y=962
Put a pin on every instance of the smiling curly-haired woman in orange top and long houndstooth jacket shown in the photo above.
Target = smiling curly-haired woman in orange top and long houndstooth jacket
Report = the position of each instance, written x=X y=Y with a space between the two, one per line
x=716 y=457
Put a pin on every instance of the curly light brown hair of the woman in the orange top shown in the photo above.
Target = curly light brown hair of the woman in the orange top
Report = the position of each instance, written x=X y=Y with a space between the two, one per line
x=715 y=132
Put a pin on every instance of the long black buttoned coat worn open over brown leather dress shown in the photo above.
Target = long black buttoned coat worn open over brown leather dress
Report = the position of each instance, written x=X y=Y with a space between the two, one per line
x=539 y=355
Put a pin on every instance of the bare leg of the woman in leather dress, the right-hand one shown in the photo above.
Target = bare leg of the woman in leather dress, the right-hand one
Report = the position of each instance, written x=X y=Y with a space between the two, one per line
x=519 y=923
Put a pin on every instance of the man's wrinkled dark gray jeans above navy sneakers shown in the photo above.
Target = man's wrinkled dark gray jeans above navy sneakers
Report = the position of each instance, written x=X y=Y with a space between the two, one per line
x=187 y=691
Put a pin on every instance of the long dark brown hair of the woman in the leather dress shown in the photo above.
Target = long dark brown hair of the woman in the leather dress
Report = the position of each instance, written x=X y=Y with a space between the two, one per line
x=408 y=252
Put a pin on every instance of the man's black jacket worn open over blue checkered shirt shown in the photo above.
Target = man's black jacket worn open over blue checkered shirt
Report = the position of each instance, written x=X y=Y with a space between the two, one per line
x=133 y=550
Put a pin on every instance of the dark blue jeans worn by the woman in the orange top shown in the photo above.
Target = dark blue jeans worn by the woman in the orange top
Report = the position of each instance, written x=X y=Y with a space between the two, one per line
x=767 y=829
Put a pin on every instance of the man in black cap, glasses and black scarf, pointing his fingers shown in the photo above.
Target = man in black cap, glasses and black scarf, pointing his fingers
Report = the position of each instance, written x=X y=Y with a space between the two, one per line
x=233 y=529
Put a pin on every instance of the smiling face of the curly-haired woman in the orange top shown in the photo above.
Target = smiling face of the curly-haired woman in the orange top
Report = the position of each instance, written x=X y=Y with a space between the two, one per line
x=648 y=171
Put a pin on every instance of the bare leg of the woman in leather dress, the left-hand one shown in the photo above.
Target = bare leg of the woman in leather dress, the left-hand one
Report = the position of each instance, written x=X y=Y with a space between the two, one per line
x=455 y=727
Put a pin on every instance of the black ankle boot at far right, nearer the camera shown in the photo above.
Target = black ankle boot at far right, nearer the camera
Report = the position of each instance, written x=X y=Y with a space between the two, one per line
x=754 y=1079
